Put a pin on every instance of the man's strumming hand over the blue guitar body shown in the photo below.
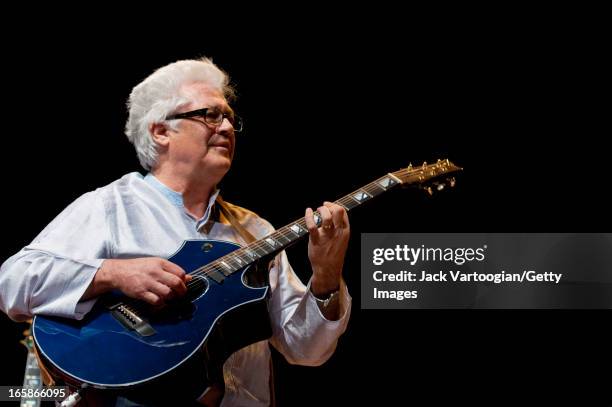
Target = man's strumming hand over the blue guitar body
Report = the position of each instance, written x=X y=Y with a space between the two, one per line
x=151 y=279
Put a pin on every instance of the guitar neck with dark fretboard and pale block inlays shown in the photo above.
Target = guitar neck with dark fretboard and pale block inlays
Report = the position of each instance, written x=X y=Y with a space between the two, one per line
x=294 y=231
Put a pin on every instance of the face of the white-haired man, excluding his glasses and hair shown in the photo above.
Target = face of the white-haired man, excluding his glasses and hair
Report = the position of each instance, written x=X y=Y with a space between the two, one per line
x=198 y=146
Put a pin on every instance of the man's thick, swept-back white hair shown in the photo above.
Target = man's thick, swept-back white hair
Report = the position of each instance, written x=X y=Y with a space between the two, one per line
x=159 y=95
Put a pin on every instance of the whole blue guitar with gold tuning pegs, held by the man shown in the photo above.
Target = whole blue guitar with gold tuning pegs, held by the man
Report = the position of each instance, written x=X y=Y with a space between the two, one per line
x=176 y=353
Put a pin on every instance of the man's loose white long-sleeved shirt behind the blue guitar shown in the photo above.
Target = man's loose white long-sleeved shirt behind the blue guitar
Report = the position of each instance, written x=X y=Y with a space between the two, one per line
x=138 y=216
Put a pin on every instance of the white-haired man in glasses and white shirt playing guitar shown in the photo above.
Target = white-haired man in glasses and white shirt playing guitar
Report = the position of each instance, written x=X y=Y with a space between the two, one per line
x=118 y=236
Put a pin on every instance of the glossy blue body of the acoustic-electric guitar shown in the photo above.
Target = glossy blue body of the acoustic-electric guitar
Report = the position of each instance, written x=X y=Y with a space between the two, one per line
x=177 y=353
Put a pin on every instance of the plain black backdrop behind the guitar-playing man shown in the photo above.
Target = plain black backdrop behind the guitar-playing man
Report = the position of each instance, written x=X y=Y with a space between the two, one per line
x=519 y=103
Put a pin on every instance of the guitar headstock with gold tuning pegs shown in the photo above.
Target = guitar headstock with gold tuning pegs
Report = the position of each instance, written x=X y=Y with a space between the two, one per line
x=430 y=177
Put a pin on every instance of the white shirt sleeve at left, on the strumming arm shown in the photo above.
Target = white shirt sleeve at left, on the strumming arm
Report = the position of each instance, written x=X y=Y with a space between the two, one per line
x=50 y=275
